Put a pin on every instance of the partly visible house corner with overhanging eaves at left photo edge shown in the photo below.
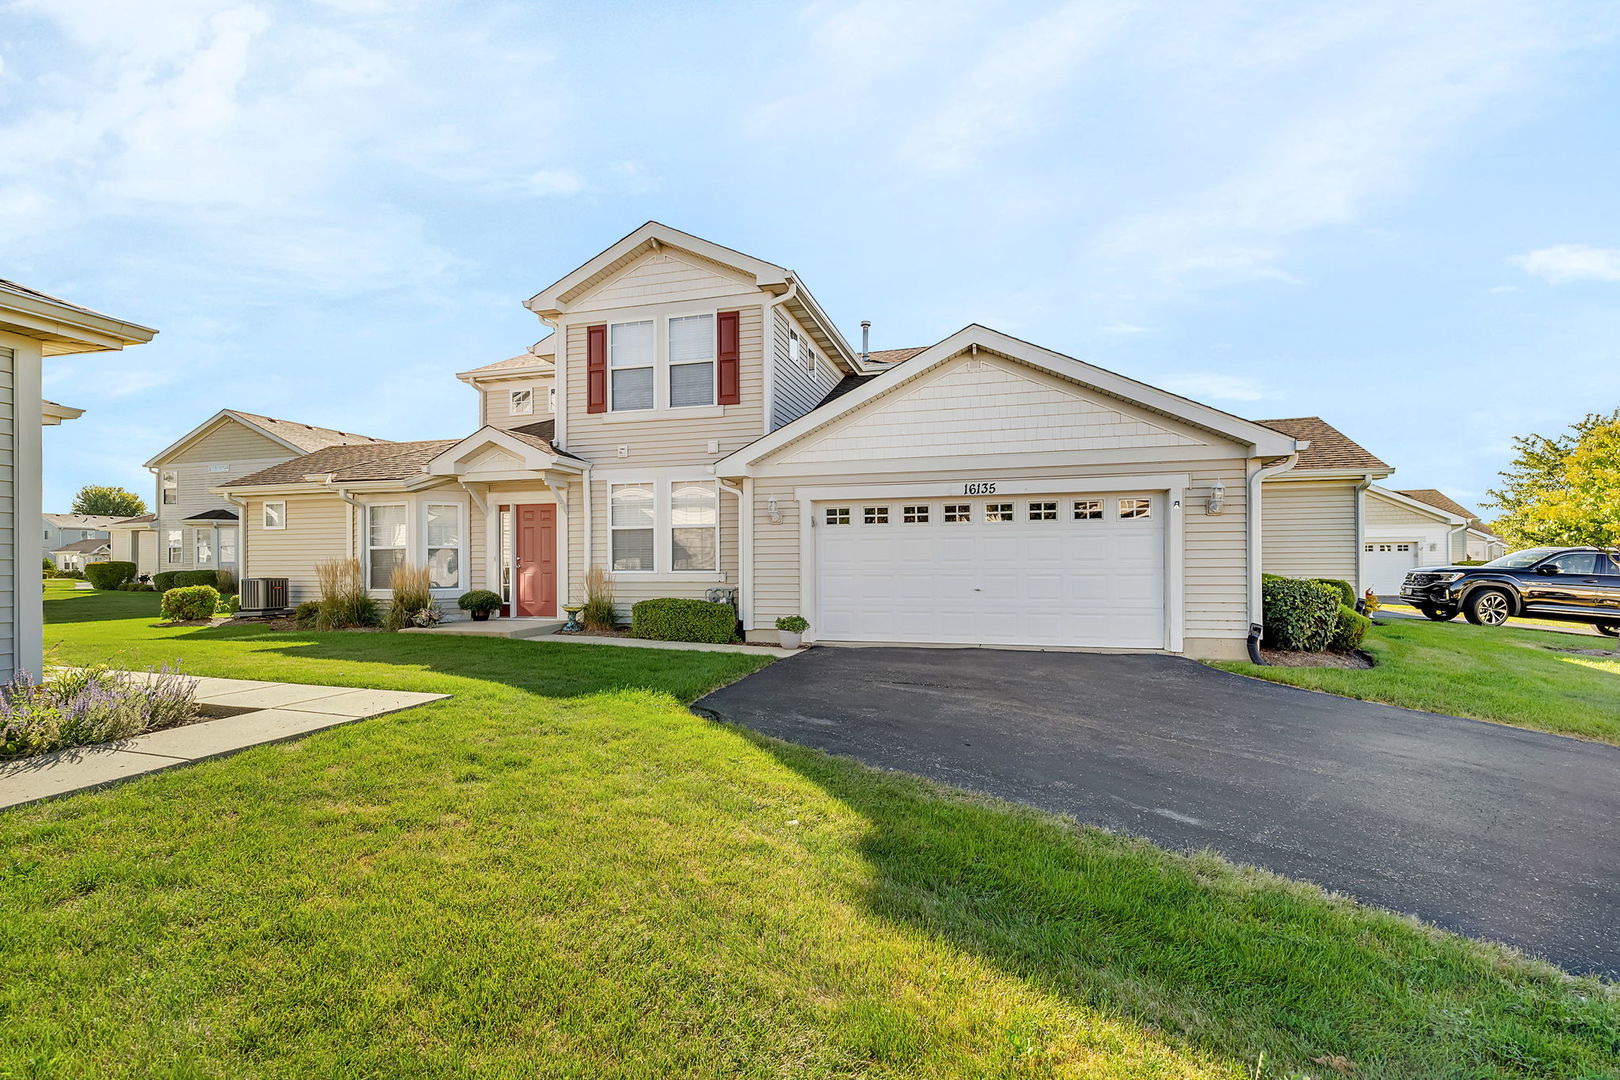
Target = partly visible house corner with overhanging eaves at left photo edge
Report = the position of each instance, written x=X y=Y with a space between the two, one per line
x=35 y=326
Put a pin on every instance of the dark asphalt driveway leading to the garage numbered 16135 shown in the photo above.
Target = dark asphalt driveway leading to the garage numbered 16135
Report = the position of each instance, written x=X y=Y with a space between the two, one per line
x=1485 y=830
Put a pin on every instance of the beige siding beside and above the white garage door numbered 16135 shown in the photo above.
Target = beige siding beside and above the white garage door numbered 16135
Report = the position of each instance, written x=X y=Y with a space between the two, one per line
x=1214 y=546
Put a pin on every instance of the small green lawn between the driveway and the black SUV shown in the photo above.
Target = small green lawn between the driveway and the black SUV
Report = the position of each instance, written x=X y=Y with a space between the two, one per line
x=1520 y=678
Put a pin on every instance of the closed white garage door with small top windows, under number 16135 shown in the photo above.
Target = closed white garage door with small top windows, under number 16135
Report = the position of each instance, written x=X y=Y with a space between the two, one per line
x=1085 y=571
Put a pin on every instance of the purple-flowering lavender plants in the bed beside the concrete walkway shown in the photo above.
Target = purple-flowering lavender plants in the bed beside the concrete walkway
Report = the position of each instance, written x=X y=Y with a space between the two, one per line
x=90 y=705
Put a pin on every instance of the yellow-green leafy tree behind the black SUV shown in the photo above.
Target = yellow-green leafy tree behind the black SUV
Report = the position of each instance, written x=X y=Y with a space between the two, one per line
x=1564 y=490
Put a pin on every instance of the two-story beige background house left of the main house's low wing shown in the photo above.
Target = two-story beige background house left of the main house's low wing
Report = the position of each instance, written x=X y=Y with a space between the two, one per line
x=195 y=529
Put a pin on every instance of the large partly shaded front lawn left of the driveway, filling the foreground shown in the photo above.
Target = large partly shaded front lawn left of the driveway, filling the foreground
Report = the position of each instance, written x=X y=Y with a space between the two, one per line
x=565 y=874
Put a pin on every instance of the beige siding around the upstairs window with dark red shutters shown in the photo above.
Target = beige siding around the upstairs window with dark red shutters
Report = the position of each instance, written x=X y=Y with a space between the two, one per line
x=665 y=438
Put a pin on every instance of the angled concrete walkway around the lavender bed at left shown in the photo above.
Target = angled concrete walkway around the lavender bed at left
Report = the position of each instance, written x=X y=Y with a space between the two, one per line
x=270 y=713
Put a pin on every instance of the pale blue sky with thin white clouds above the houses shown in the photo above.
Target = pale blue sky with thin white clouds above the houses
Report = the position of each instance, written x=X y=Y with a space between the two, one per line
x=1399 y=216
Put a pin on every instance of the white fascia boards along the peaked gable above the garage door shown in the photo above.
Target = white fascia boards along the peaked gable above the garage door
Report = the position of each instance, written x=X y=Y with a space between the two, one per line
x=1263 y=441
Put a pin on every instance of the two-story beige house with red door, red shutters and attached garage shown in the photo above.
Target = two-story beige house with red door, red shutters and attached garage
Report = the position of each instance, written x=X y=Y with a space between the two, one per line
x=696 y=422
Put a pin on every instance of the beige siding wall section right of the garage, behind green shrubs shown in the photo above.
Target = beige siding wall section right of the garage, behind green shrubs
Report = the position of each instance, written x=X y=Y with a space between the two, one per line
x=1308 y=530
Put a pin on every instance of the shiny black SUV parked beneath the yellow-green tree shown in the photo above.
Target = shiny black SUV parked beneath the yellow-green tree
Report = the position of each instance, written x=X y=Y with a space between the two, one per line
x=1562 y=584
